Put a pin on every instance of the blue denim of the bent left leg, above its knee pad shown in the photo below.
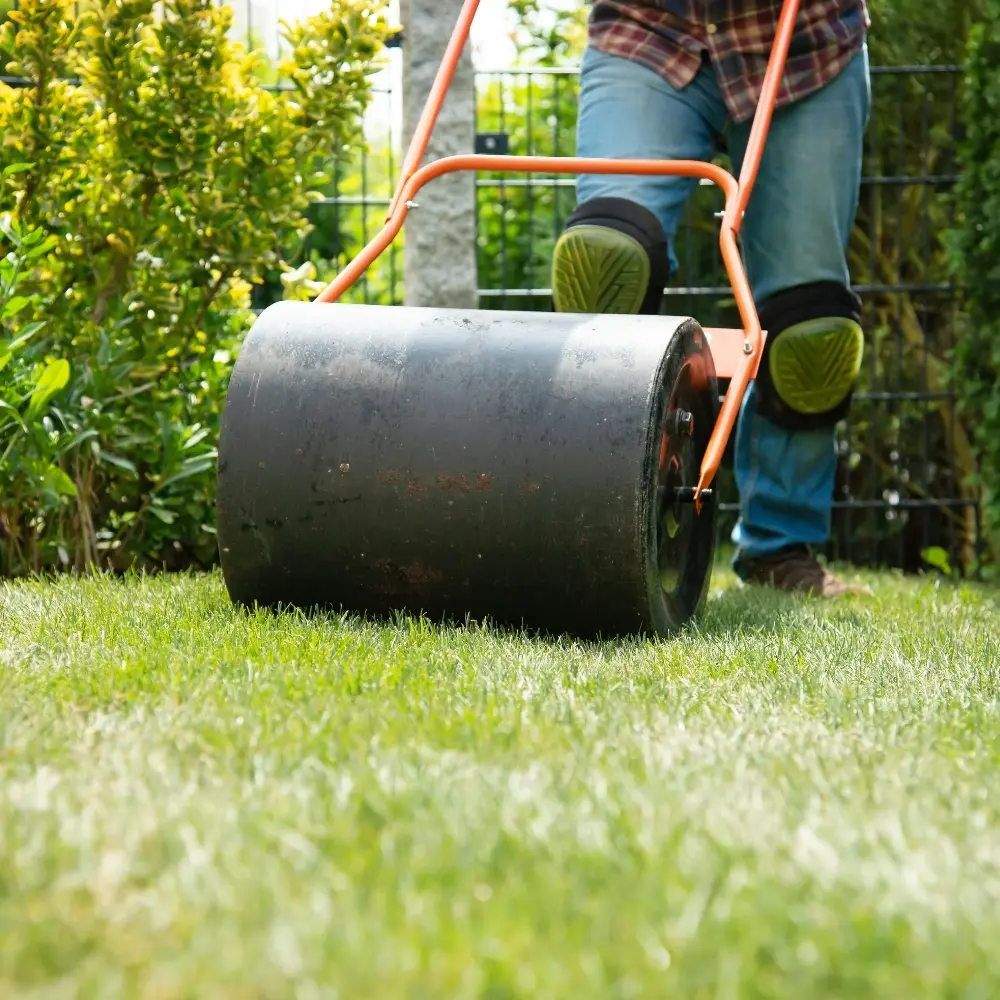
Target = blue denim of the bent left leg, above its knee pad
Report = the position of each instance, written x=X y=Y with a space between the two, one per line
x=628 y=111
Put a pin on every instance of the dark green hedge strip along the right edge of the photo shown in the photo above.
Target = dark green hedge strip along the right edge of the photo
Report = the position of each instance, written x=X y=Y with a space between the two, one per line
x=975 y=244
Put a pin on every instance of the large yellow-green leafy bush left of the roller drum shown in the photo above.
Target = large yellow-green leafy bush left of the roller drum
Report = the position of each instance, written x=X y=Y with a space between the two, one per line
x=151 y=181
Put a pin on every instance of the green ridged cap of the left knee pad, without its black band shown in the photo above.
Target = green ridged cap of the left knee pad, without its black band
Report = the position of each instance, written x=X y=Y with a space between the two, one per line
x=599 y=270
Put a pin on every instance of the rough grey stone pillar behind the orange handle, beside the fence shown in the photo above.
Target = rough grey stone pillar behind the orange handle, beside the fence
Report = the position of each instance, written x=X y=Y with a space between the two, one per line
x=439 y=237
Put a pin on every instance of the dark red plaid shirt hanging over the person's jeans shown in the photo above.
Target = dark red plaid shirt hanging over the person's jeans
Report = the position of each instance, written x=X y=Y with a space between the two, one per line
x=672 y=36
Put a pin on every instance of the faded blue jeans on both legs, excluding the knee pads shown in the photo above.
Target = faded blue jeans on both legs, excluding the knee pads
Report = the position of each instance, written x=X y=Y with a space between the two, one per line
x=795 y=231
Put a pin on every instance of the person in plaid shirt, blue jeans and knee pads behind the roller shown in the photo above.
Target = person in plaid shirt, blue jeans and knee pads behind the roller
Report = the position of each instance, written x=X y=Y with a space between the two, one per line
x=672 y=79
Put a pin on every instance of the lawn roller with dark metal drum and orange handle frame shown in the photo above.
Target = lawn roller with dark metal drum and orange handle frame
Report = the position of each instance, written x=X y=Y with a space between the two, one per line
x=543 y=470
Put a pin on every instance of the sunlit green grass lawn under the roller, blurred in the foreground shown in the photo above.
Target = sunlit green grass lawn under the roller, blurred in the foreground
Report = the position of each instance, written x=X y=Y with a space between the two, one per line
x=791 y=800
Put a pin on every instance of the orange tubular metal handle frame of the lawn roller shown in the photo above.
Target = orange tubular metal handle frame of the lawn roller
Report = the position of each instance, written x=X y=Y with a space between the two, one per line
x=737 y=192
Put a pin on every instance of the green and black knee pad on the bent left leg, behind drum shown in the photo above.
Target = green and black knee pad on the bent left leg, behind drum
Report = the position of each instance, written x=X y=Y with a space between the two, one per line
x=610 y=258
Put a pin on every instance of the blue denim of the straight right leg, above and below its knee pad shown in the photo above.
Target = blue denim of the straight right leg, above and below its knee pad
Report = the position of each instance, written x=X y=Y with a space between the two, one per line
x=796 y=231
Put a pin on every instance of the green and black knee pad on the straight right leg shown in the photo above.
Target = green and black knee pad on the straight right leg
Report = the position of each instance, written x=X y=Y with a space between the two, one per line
x=812 y=355
